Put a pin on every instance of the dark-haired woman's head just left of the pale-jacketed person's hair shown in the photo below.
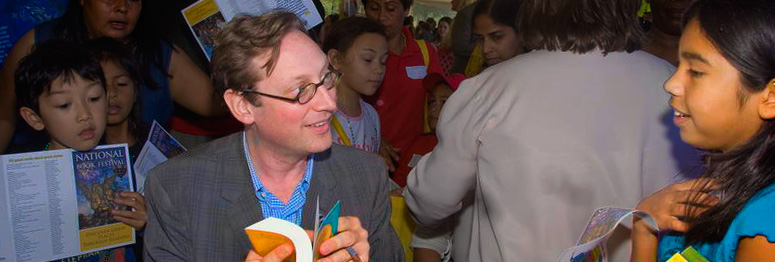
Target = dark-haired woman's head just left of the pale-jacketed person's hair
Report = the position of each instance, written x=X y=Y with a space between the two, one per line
x=495 y=29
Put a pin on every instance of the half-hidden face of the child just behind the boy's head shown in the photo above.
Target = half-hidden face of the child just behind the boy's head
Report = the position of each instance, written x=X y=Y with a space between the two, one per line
x=121 y=92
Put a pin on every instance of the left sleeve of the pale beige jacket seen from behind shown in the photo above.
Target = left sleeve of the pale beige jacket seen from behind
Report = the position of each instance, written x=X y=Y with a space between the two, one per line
x=441 y=179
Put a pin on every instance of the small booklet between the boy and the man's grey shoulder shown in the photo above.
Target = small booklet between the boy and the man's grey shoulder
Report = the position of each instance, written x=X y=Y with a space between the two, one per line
x=159 y=147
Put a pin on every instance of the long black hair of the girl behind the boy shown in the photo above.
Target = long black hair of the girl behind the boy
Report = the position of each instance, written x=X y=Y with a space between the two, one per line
x=107 y=49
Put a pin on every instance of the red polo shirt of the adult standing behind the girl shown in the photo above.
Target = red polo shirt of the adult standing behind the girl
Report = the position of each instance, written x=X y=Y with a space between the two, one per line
x=400 y=99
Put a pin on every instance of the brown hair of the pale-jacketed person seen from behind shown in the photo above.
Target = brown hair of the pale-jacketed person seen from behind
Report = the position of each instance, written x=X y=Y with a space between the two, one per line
x=581 y=26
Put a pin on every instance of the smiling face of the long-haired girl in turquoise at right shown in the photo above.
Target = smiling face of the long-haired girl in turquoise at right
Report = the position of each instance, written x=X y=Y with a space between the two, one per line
x=708 y=96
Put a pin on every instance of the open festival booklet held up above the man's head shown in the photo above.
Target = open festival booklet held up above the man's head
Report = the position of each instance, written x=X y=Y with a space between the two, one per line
x=206 y=18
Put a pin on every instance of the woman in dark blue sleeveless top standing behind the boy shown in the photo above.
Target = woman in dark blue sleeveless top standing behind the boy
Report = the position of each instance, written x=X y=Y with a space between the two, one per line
x=166 y=73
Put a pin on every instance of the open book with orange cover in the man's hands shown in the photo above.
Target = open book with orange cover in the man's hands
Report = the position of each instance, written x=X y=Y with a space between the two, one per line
x=268 y=234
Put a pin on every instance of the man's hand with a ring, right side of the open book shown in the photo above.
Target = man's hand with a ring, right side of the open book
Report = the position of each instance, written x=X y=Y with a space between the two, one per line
x=351 y=234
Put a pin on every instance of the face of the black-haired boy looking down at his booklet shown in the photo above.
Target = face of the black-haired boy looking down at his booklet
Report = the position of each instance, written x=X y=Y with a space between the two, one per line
x=73 y=113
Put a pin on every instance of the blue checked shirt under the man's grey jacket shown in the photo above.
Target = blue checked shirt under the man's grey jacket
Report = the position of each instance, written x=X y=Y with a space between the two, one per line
x=272 y=206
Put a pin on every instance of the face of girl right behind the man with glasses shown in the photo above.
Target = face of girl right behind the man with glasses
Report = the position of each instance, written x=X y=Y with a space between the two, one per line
x=363 y=65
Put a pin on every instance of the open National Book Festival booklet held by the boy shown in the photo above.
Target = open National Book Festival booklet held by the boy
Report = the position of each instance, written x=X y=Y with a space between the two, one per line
x=56 y=204
